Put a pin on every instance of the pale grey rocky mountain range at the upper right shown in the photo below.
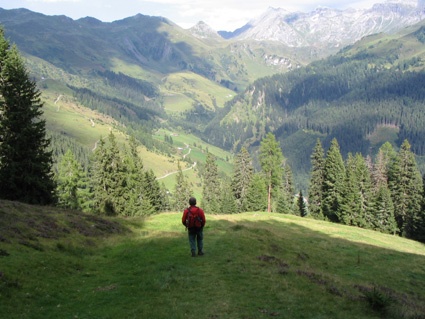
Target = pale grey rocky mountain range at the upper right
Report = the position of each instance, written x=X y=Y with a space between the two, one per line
x=328 y=28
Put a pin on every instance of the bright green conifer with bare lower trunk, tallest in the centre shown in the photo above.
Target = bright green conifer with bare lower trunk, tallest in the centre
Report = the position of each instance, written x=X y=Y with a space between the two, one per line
x=271 y=161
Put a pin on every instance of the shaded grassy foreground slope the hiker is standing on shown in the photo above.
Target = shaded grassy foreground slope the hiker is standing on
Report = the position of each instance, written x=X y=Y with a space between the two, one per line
x=257 y=265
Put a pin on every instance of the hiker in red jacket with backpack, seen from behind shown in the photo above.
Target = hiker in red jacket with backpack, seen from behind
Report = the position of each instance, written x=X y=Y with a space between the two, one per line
x=194 y=220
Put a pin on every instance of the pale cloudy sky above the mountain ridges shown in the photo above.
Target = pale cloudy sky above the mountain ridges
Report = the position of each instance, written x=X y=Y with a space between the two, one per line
x=225 y=15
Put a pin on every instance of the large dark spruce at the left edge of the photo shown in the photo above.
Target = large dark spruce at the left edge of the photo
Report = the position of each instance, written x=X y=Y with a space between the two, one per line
x=25 y=162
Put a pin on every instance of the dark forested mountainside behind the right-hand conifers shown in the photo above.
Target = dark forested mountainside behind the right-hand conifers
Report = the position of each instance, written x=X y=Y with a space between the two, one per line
x=376 y=84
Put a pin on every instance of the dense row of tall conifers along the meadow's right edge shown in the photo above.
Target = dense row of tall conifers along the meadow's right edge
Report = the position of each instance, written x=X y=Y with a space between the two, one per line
x=386 y=194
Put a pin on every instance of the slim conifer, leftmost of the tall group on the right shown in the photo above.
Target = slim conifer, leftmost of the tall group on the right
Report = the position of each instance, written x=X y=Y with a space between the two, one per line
x=316 y=181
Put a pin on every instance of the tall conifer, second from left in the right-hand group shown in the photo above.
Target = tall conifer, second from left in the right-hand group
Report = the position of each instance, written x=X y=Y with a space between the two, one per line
x=333 y=182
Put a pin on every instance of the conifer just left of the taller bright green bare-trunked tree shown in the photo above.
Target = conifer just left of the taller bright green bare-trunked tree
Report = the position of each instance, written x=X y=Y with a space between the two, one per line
x=242 y=174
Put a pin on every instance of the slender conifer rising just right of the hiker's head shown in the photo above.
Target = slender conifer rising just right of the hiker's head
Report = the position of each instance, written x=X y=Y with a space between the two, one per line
x=211 y=186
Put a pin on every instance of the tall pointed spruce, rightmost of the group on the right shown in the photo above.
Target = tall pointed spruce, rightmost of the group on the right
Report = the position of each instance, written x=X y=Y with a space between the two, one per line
x=405 y=183
